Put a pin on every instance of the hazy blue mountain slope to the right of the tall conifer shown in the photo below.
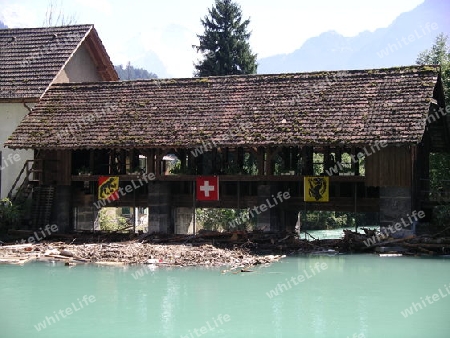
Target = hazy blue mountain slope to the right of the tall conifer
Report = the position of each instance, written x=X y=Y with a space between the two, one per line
x=399 y=44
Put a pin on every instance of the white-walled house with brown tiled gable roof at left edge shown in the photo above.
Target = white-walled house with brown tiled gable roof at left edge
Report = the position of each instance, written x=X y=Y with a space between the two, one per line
x=32 y=60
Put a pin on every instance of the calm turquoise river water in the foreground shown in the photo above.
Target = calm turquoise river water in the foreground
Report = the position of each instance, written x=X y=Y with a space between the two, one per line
x=307 y=296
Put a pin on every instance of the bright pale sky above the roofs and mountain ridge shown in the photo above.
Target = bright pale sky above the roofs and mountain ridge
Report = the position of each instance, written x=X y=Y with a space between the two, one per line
x=158 y=35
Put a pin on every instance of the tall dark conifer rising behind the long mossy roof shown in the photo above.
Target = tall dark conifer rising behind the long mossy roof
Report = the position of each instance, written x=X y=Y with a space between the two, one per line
x=224 y=44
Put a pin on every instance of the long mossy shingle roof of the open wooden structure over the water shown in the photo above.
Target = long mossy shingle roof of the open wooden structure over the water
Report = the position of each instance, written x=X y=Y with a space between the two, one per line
x=355 y=107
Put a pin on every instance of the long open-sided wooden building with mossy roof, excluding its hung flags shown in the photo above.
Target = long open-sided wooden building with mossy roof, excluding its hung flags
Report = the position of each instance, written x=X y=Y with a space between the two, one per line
x=369 y=131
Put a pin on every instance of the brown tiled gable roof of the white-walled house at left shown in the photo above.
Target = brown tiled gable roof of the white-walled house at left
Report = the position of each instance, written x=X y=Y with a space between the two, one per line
x=32 y=58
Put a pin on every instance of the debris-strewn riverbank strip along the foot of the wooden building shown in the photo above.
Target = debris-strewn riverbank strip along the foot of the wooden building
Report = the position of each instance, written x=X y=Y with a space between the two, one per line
x=208 y=248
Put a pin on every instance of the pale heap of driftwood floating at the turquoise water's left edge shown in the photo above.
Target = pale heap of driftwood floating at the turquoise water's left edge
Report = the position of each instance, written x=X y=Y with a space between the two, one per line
x=133 y=253
